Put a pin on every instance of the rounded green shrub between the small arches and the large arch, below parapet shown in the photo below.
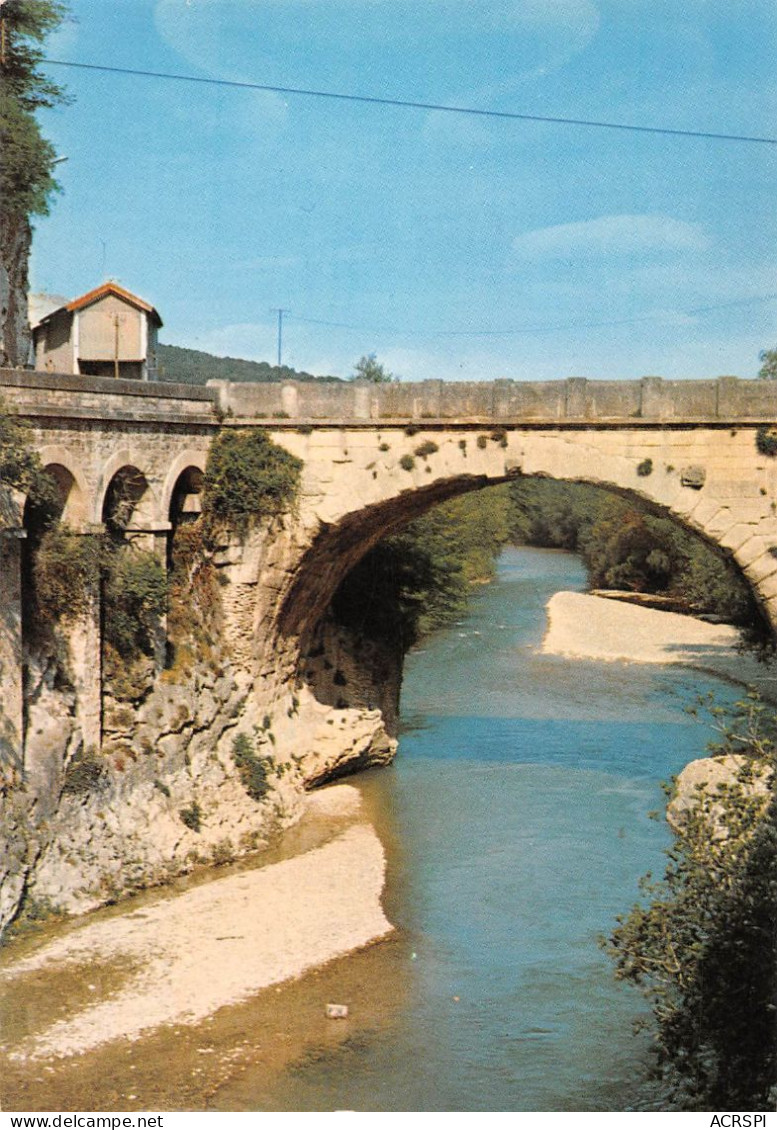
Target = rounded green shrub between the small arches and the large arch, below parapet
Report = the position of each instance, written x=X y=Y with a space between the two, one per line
x=248 y=479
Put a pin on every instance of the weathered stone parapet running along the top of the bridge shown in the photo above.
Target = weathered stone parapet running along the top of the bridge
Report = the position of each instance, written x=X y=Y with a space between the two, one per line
x=574 y=402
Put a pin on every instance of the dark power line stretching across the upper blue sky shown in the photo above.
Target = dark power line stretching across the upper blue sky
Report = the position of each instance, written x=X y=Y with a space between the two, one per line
x=407 y=105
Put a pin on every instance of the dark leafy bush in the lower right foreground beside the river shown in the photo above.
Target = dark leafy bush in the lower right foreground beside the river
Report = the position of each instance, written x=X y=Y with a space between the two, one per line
x=704 y=948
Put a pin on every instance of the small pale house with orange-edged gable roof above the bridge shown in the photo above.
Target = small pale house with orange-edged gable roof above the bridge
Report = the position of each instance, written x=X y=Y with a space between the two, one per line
x=107 y=333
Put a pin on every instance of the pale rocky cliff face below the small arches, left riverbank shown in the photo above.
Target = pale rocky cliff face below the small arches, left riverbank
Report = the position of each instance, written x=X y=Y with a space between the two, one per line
x=167 y=793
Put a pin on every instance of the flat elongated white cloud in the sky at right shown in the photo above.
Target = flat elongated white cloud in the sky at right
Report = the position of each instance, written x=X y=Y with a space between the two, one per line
x=612 y=236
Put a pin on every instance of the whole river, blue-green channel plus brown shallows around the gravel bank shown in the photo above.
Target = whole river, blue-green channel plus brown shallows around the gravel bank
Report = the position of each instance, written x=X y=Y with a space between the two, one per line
x=516 y=823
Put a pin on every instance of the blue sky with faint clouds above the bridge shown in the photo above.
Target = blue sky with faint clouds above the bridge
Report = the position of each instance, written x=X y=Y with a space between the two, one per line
x=453 y=247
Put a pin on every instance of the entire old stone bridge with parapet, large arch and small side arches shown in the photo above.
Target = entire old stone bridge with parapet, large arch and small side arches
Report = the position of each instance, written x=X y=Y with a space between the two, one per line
x=376 y=457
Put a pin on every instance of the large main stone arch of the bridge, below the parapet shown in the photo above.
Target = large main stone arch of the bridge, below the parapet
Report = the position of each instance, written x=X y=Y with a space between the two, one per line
x=692 y=477
